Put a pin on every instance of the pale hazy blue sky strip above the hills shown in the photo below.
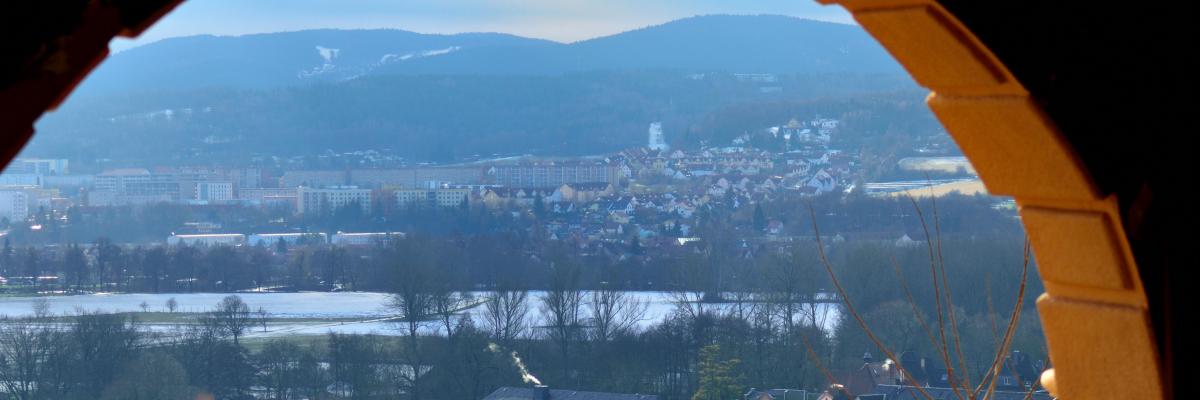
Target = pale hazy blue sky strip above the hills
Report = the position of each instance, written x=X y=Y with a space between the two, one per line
x=563 y=21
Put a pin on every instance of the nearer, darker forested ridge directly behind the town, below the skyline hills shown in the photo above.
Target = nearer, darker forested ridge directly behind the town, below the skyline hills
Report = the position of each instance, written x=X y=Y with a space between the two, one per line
x=448 y=118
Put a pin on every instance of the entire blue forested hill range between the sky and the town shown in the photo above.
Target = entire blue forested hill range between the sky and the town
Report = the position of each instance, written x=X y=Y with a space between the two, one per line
x=445 y=98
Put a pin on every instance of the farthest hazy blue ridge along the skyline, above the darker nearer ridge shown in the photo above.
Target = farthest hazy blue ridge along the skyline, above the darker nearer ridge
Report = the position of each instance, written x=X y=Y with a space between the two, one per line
x=729 y=44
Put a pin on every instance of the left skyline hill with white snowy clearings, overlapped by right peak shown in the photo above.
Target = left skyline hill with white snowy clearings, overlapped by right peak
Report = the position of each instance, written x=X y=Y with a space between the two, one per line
x=277 y=59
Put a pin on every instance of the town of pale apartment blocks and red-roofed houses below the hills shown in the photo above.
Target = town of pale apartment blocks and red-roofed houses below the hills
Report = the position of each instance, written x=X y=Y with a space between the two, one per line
x=652 y=193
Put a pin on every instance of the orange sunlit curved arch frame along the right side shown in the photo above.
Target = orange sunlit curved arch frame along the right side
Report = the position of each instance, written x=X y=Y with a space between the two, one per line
x=1095 y=312
